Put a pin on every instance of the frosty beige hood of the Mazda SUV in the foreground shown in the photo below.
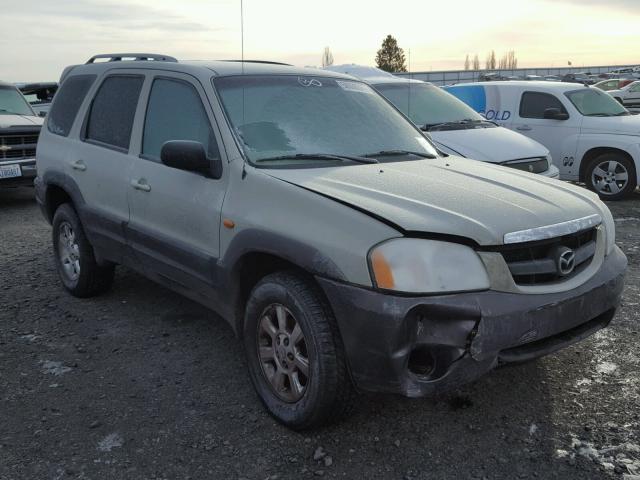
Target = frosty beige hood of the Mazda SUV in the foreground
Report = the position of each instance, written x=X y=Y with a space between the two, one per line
x=451 y=196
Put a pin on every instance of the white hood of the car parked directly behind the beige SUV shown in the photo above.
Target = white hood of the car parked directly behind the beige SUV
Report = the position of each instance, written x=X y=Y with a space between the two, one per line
x=495 y=145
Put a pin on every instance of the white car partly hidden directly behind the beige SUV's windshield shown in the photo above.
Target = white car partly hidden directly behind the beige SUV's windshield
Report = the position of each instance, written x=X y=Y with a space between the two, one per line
x=455 y=127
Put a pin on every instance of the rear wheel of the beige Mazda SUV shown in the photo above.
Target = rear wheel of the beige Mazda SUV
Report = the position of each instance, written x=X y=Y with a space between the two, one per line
x=74 y=258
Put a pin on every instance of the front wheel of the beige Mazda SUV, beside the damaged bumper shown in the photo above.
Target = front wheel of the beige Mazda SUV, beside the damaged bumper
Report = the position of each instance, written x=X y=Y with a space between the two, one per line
x=325 y=394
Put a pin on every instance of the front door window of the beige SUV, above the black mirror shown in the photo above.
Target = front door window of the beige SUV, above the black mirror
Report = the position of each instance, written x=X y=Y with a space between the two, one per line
x=175 y=112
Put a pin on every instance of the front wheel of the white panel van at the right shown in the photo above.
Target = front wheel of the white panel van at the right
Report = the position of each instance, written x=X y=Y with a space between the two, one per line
x=612 y=176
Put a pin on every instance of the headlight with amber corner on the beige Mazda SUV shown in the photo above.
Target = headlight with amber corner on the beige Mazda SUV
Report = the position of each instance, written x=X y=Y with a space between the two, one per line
x=414 y=265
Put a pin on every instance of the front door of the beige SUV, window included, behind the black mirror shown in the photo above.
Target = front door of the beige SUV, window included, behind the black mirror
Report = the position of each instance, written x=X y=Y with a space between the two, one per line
x=175 y=214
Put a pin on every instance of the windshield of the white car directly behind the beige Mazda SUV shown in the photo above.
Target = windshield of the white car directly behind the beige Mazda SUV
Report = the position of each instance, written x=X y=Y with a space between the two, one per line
x=427 y=104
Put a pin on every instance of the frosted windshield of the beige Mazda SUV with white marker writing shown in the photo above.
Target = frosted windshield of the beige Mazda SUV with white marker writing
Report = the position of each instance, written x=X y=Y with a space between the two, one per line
x=289 y=115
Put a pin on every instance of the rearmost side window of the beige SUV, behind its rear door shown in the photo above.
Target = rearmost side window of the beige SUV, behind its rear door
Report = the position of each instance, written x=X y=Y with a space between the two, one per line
x=67 y=103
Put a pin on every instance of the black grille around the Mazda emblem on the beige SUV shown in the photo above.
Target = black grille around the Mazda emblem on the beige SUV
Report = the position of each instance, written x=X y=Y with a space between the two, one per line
x=536 y=263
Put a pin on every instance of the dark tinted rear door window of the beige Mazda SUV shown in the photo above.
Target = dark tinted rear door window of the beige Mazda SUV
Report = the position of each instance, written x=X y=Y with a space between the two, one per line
x=113 y=110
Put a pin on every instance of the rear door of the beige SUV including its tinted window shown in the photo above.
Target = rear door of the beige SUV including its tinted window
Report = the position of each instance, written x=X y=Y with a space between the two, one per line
x=101 y=162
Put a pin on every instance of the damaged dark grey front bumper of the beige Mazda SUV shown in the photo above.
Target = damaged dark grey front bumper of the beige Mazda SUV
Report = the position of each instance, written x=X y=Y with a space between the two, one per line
x=422 y=345
